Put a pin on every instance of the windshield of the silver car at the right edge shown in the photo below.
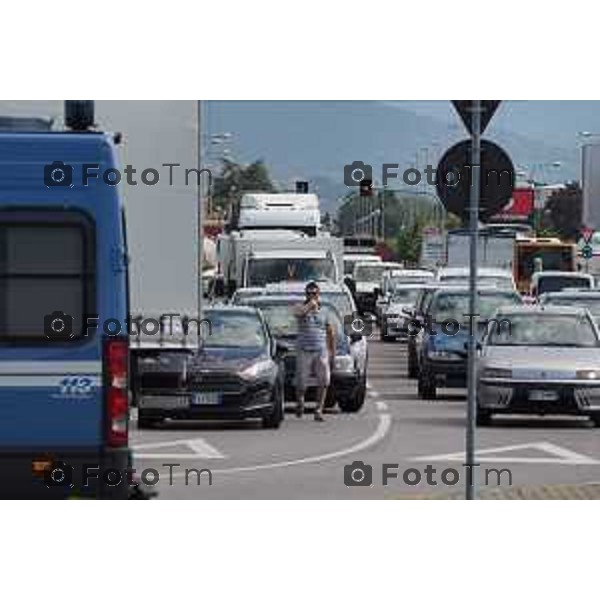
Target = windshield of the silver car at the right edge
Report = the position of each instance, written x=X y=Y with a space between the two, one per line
x=543 y=330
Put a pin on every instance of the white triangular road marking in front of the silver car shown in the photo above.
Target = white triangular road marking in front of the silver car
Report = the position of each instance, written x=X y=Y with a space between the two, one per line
x=558 y=455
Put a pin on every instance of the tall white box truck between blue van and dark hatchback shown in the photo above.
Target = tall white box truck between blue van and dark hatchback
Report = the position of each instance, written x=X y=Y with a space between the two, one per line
x=163 y=243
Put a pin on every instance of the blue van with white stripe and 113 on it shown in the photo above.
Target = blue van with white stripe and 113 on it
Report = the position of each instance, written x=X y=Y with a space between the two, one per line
x=64 y=350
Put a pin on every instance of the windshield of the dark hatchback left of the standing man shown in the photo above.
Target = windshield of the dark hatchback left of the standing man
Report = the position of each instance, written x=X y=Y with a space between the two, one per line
x=233 y=330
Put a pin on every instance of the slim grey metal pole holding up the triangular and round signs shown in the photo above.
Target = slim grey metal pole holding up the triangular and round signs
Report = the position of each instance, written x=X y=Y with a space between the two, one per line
x=473 y=329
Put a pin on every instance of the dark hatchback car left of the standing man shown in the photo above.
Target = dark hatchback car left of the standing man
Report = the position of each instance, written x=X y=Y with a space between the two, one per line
x=237 y=373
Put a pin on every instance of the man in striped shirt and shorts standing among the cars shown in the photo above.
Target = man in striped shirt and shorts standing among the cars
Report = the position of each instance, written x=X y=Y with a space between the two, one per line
x=315 y=349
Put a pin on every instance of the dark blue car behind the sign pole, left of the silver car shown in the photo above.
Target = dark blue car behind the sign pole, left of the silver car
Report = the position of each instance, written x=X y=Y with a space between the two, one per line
x=444 y=332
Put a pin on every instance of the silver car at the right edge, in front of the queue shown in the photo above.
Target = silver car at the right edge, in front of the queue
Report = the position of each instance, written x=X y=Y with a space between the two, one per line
x=540 y=360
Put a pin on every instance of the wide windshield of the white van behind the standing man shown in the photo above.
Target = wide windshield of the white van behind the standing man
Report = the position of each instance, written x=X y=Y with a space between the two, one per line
x=274 y=270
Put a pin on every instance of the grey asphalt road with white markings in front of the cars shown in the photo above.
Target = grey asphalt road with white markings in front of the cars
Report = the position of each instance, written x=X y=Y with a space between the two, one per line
x=305 y=459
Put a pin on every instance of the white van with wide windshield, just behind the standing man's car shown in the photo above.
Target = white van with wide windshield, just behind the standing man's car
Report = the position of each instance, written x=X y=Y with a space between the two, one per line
x=251 y=258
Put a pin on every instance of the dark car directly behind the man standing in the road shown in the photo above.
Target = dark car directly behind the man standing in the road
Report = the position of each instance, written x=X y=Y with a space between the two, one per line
x=348 y=373
